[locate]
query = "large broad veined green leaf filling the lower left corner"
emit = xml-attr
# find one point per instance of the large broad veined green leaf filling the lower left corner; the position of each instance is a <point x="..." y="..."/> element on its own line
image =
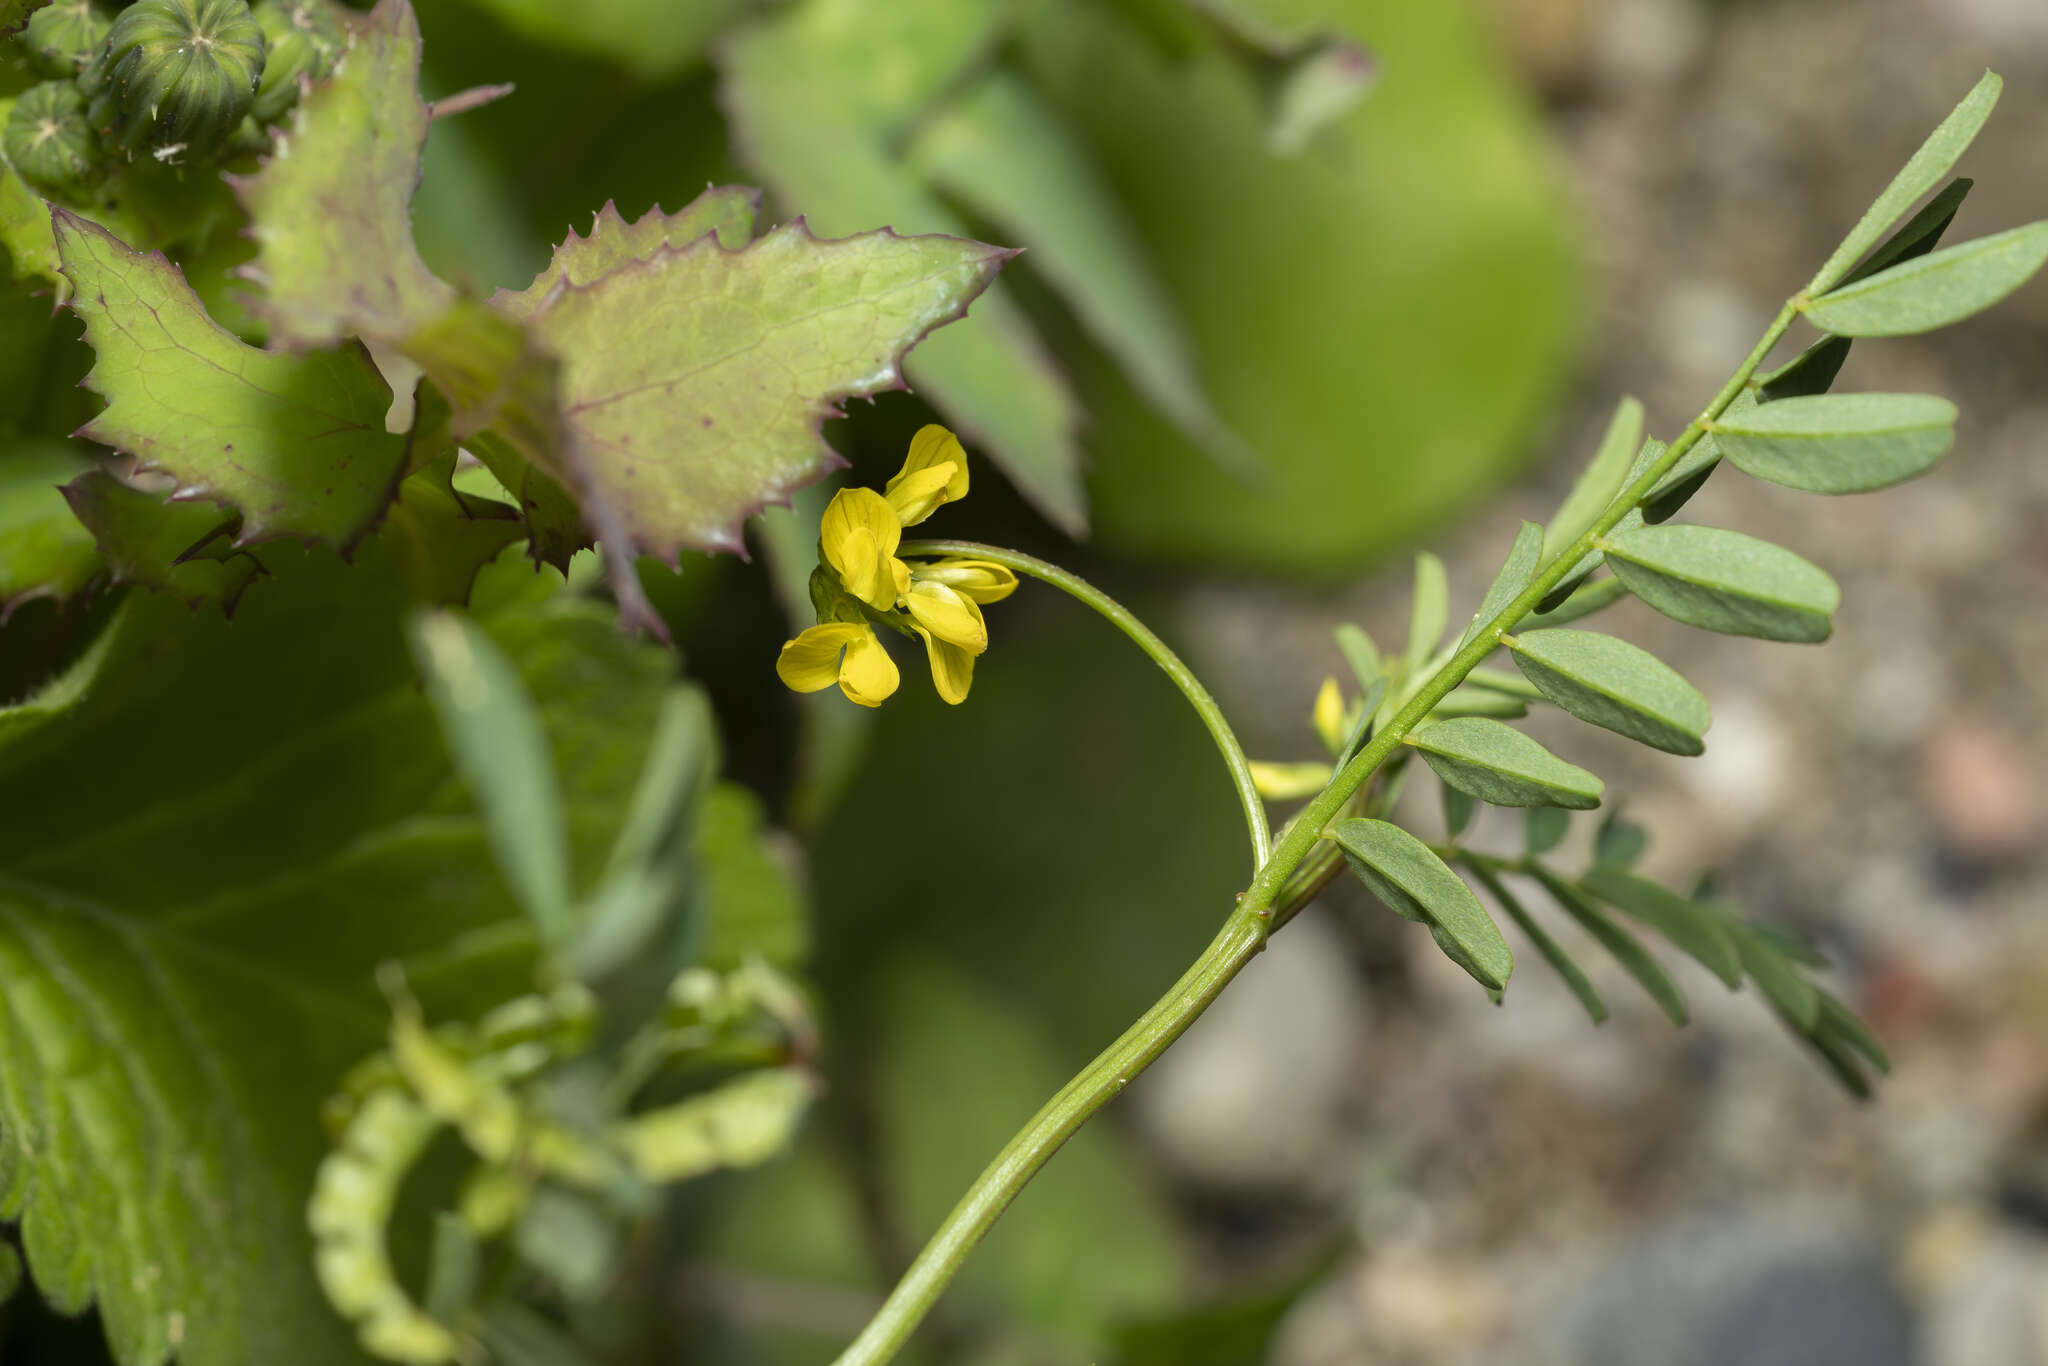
<point x="194" y="970"/>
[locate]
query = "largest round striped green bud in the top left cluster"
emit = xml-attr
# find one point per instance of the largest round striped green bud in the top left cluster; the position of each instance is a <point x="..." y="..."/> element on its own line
<point x="175" y="79"/>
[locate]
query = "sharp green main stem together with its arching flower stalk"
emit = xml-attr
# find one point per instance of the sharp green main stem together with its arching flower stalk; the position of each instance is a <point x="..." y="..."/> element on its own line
<point x="1275" y="892"/>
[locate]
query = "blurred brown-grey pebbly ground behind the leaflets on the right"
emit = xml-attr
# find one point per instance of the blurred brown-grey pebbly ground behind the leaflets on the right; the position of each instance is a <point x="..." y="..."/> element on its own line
<point x="1525" y="1187"/>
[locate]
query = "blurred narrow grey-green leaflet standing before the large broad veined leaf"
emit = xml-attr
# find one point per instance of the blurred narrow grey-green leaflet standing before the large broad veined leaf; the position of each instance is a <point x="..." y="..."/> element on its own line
<point x="495" y="734"/>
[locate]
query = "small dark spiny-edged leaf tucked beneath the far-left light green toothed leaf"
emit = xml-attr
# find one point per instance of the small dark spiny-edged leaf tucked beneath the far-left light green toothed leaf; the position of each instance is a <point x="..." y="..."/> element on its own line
<point x="177" y="548"/>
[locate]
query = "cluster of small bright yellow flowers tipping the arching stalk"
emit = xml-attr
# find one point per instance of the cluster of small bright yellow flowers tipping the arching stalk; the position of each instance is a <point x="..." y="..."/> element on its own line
<point x="861" y="585"/>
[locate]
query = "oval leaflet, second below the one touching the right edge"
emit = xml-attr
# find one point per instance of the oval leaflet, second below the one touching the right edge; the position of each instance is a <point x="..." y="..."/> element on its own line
<point x="1723" y="581"/>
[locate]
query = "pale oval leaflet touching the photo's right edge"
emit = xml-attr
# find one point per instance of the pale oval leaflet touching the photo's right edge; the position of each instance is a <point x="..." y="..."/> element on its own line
<point x="1936" y="290"/>
